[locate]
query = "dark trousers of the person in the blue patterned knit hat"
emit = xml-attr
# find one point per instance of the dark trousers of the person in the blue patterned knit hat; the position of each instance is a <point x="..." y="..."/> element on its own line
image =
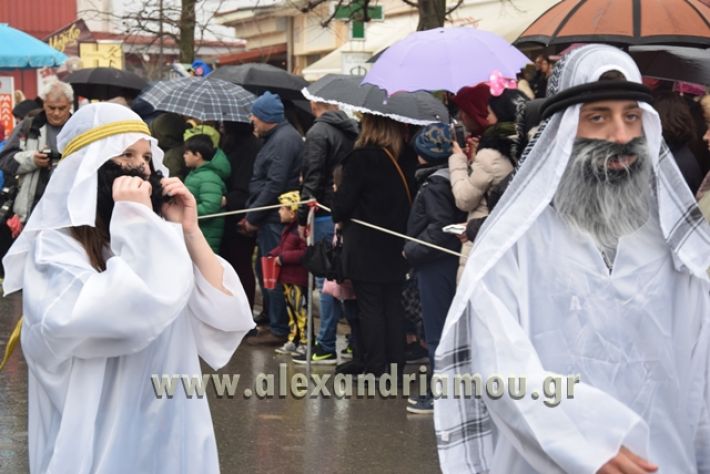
<point x="437" y="286"/>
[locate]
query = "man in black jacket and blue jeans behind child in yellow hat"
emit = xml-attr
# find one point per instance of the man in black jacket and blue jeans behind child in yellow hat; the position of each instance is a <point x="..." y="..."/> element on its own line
<point x="328" y="141"/>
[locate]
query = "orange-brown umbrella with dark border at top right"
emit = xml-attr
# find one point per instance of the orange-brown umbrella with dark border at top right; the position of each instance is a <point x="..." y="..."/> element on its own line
<point x="622" y="22"/>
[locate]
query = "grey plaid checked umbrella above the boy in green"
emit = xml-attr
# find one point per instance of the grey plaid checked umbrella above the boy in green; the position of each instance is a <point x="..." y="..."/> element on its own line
<point x="202" y="99"/>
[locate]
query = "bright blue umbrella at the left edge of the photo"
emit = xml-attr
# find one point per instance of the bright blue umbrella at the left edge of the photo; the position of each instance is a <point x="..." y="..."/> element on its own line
<point x="18" y="50"/>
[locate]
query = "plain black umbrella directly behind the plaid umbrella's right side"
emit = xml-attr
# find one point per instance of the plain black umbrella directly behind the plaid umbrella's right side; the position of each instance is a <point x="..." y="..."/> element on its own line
<point x="260" y="77"/>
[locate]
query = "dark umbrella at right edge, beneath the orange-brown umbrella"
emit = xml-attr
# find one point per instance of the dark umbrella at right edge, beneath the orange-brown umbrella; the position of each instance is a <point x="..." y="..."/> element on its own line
<point x="673" y="63"/>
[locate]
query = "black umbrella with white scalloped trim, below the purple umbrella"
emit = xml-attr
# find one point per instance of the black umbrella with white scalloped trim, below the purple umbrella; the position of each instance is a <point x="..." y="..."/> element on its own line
<point x="417" y="108"/>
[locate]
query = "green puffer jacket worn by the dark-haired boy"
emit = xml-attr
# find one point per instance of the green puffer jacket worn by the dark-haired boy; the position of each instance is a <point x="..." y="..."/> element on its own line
<point x="207" y="184"/>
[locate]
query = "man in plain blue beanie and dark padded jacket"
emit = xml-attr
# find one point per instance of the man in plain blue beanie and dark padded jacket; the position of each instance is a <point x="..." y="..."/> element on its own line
<point x="275" y="171"/>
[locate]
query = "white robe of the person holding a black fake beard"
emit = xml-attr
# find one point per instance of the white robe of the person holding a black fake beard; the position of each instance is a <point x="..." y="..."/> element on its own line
<point x="93" y="340"/>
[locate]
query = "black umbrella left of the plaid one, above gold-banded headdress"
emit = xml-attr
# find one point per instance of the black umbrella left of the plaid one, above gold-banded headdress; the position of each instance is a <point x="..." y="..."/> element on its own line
<point x="103" y="83"/>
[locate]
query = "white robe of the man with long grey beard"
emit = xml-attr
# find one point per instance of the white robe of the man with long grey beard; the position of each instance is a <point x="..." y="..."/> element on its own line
<point x="638" y="338"/>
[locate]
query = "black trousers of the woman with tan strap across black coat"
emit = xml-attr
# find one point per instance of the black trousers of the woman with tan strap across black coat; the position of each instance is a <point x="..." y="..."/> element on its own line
<point x="381" y="325"/>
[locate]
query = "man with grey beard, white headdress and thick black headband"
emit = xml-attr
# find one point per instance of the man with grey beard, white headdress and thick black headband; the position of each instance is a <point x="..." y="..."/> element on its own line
<point x="592" y="265"/>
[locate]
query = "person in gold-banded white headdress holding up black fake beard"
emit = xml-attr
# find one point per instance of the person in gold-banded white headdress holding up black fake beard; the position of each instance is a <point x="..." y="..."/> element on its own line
<point x="119" y="285"/>
